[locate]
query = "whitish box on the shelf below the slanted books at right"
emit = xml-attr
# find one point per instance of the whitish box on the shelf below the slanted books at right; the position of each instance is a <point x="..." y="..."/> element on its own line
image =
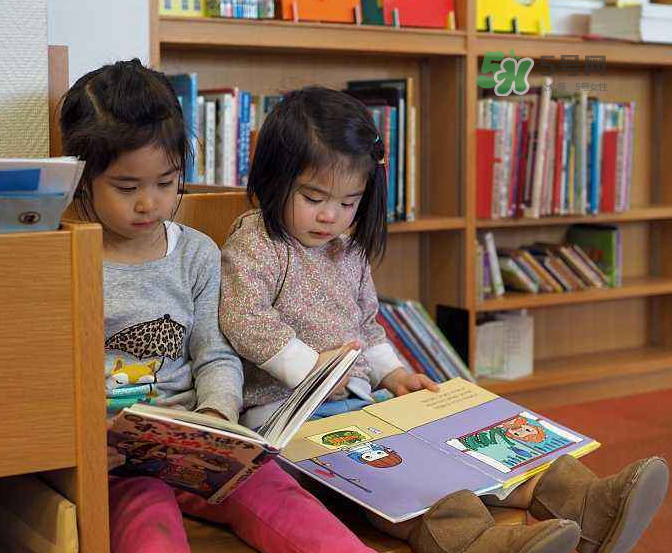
<point x="505" y="345"/>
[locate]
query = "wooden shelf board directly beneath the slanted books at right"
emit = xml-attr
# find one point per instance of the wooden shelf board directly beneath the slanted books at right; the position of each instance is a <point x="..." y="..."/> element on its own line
<point x="632" y="288"/>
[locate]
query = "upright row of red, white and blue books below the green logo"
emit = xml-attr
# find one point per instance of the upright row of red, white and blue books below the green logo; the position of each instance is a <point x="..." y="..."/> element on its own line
<point x="552" y="152"/>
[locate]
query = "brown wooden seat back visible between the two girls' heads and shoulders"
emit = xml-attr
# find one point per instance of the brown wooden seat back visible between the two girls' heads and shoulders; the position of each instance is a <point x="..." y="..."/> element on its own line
<point x="212" y="213"/>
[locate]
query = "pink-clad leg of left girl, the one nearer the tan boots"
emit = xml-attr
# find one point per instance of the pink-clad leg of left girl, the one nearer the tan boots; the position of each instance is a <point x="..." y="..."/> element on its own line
<point x="274" y="514"/>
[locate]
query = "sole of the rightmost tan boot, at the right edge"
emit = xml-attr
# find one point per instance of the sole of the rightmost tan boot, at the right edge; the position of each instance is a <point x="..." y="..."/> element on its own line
<point x="642" y="502"/>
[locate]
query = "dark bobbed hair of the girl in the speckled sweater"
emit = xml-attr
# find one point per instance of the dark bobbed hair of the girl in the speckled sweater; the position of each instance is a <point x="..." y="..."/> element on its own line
<point x="317" y="128"/>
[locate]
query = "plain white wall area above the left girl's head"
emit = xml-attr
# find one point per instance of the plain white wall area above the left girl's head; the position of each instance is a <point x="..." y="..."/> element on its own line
<point x="97" y="32"/>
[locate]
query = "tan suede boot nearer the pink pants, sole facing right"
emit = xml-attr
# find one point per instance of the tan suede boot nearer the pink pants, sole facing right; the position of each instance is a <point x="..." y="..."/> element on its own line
<point x="460" y="523"/>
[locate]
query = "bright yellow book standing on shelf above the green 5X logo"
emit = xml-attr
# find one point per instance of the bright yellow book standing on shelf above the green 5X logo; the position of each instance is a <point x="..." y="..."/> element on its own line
<point x="532" y="16"/>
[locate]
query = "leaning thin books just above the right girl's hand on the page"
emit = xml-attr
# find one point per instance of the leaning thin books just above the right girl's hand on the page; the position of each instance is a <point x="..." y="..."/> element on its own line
<point x="419" y="342"/>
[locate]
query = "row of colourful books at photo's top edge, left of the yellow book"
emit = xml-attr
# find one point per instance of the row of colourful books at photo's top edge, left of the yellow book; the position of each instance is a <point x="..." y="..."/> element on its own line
<point x="399" y="13"/>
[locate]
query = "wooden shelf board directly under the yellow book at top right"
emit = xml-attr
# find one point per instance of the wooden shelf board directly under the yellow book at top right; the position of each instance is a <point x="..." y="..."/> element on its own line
<point x="616" y="52"/>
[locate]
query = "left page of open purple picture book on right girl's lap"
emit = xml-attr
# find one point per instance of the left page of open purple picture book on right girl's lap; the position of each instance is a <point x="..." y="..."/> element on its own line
<point x="379" y="466"/>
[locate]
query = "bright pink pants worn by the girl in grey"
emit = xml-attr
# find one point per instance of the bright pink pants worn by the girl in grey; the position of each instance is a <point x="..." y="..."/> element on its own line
<point x="270" y="511"/>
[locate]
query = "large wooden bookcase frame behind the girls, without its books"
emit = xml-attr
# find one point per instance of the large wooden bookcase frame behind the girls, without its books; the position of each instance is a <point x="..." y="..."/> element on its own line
<point x="433" y="258"/>
